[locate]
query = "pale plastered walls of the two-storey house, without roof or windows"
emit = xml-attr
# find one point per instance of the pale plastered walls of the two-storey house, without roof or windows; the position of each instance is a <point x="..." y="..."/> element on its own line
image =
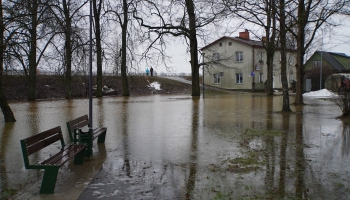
<point x="229" y="67"/>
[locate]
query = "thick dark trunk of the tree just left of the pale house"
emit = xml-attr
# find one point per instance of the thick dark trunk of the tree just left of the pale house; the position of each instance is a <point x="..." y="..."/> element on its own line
<point x="193" y="48"/>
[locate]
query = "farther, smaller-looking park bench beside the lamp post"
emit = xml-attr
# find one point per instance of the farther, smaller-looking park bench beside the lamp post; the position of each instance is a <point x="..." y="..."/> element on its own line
<point x="77" y="135"/>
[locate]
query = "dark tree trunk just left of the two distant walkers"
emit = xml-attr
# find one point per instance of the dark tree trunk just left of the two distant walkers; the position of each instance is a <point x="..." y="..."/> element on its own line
<point x="123" y="64"/>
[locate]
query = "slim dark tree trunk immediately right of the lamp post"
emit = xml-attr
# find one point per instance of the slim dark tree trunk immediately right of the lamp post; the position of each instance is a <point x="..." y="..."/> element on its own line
<point x="97" y="13"/>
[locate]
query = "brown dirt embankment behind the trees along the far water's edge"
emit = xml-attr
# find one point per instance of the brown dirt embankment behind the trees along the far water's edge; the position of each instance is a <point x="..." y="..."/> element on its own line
<point x="52" y="86"/>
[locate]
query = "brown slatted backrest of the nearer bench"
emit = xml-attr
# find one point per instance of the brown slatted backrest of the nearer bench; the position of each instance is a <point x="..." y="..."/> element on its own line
<point x="39" y="141"/>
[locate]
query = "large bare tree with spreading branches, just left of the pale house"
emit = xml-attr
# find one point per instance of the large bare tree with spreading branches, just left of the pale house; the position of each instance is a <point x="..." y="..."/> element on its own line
<point x="178" y="19"/>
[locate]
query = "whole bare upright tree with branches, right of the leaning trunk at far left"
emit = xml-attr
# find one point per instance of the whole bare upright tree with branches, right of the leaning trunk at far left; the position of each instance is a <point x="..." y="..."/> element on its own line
<point x="34" y="20"/>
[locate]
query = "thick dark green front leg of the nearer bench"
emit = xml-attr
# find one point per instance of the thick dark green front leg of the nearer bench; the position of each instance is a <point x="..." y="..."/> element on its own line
<point x="49" y="180"/>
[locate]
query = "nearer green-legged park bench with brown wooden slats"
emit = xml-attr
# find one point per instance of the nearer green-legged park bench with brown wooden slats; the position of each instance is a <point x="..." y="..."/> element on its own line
<point x="51" y="165"/>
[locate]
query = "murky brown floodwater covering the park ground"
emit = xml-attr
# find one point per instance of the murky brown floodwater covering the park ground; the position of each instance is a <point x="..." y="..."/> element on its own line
<point x="230" y="146"/>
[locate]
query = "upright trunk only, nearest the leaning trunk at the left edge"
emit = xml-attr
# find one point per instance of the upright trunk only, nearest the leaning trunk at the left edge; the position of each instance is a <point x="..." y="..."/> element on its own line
<point x="32" y="52"/>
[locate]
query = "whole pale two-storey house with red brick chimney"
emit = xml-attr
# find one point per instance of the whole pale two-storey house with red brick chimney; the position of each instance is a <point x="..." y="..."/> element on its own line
<point x="238" y="63"/>
